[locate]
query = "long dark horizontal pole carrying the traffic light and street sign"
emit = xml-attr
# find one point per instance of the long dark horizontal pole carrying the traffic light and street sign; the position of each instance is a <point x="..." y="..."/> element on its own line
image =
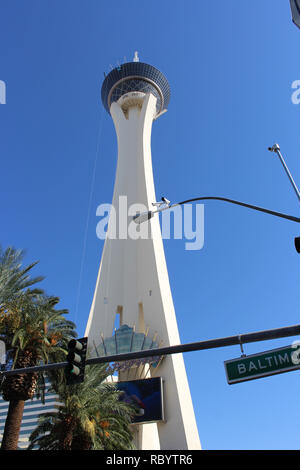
<point x="181" y="348"/>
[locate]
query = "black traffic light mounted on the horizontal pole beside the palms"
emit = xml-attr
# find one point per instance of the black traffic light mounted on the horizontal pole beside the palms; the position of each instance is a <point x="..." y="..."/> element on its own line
<point x="74" y="371"/>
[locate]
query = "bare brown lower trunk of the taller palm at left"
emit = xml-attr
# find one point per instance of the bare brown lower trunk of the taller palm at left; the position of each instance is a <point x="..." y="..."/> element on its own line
<point x="13" y="425"/>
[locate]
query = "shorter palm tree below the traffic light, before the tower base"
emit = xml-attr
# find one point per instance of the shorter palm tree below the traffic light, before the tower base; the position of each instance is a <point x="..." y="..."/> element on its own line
<point x="90" y="416"/>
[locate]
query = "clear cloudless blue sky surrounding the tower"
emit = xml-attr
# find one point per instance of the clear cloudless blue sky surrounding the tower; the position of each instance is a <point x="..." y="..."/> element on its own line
<point x="230" y="66"/>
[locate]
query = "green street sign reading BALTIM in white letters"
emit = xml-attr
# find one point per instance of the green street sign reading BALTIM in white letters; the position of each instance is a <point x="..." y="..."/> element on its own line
<point x="264" y="364"/>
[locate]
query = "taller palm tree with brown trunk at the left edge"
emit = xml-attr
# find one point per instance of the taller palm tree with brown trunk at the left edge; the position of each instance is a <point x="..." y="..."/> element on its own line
<point x="35" y="332"/>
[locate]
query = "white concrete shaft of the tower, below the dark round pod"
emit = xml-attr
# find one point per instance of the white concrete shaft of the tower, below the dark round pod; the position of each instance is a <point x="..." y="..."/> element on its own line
<point x="133" y="278"/>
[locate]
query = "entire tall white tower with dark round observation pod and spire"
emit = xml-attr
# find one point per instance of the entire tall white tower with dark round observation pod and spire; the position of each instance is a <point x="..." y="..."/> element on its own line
<point x="132" y="308"/>
